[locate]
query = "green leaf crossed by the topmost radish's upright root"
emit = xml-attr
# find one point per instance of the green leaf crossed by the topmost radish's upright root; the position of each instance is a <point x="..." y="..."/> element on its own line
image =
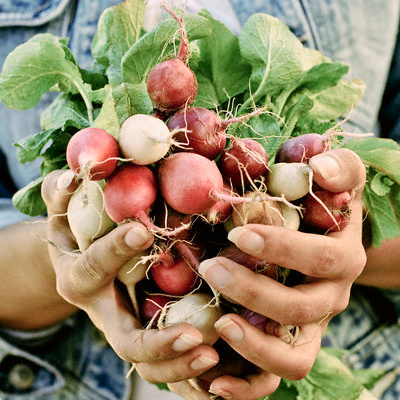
<point x="156" y="44"/>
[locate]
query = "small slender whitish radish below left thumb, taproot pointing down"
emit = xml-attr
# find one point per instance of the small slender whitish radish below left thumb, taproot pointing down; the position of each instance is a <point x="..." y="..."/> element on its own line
<point x="132" y="273"/>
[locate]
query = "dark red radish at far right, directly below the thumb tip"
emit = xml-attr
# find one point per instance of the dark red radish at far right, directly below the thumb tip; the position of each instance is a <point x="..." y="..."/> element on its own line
<point x="334" y="217"/>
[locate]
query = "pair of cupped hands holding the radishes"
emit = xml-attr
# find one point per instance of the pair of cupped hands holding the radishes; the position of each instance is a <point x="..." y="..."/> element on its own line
<point x="174" y="355"/>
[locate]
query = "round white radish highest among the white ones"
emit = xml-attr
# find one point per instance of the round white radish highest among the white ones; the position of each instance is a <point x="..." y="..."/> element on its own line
<point x="144" y="139"/>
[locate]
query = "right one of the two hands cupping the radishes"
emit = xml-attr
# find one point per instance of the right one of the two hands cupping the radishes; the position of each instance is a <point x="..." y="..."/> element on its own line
<point x="331" y="263"/>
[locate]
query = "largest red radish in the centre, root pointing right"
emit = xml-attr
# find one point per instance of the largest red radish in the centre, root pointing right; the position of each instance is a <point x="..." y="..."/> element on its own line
<point x="192" y="184"/>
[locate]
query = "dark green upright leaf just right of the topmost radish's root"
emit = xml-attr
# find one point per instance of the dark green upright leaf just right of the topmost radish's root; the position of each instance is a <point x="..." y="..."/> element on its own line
<point x="221" y="73"/>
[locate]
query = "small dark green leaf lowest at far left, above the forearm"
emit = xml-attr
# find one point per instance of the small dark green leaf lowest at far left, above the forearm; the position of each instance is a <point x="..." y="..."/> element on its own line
<point x="29" y="200"/>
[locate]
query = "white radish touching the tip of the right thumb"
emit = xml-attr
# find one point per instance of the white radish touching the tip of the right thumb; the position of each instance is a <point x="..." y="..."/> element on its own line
<point x="289" y="180"/>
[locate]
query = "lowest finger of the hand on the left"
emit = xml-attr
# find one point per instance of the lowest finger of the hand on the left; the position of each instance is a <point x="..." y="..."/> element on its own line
<point x="187" y="366"/>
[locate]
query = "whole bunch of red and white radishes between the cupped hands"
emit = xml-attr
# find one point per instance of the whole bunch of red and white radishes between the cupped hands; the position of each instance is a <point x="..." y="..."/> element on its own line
<point x="180" y="174"/>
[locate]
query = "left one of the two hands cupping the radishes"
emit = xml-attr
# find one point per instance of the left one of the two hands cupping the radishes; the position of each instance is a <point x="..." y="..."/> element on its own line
<point x="87" y="280"/>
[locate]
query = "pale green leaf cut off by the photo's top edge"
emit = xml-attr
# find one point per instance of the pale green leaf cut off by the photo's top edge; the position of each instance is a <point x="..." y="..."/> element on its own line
<point x="119" y="27"/>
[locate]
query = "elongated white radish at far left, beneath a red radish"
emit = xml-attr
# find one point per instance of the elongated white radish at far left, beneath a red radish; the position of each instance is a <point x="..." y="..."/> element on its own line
<point x="86" y="214"/>
